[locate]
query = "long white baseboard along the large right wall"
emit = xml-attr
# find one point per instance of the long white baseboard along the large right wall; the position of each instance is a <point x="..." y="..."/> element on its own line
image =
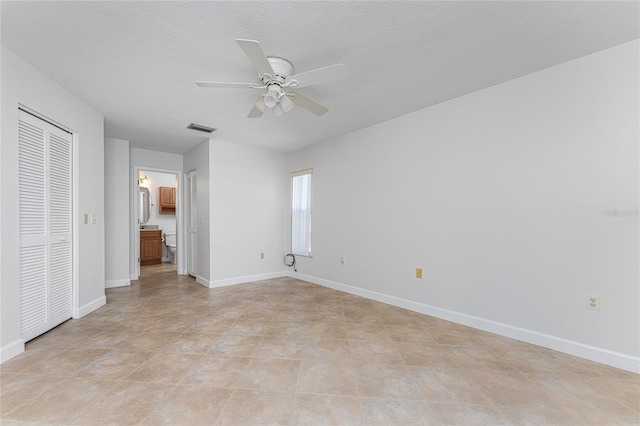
<point x="603" y="356"/>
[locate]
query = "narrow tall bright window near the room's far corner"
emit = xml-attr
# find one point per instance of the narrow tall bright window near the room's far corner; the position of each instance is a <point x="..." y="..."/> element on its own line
<point x="301" y="213"/>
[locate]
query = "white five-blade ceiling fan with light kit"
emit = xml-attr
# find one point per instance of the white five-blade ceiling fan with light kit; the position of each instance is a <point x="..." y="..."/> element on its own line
<point x="276" y="76"/>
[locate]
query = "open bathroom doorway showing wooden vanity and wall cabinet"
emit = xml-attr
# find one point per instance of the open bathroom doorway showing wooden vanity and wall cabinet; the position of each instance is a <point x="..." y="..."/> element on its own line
<point x="157" y="221"/>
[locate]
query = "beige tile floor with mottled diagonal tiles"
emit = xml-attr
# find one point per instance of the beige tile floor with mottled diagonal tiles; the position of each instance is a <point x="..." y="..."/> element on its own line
<point x="169" y="351"/>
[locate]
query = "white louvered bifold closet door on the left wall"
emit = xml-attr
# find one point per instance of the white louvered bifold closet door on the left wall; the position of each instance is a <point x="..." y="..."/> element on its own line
<point x="45" y="184"/>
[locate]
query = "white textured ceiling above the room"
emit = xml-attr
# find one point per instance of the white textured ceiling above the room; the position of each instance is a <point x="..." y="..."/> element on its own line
<point x="136" y="62"/>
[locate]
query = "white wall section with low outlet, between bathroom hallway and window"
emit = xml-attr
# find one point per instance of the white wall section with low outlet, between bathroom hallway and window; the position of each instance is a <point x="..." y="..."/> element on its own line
<point x="249" y="191"/>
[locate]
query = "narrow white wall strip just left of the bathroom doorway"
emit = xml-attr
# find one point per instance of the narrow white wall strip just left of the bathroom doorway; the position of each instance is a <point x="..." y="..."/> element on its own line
<point x="116" y="206"/>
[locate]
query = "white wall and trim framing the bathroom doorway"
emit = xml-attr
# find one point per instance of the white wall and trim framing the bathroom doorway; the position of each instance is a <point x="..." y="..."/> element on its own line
<point x="153" y="160"/>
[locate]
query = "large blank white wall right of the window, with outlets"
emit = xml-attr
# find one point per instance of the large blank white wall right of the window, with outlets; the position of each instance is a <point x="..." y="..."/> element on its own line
<point x="503" y="196"/>
